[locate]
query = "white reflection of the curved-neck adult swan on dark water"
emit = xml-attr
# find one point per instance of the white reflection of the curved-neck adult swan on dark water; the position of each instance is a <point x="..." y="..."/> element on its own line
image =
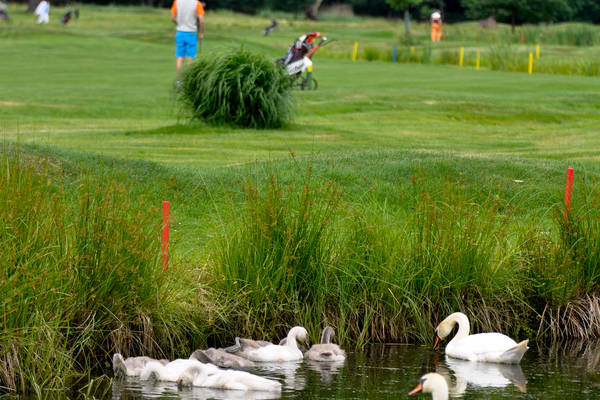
<point x="481" y="375"/>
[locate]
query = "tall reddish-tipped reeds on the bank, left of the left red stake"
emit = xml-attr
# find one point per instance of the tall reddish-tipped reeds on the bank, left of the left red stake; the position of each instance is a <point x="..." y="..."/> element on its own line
<point x="80" y="277"/>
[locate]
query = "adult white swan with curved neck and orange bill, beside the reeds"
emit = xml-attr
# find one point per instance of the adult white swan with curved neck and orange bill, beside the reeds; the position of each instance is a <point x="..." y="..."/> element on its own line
<point x="488" y="347"/>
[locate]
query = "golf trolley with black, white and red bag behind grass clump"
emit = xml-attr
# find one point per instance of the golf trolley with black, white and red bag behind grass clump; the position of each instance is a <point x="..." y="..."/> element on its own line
<point x="298" y="61"/>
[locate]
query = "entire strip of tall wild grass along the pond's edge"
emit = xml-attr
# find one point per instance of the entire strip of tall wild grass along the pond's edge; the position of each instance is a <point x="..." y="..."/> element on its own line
<point x="280" y="250"/>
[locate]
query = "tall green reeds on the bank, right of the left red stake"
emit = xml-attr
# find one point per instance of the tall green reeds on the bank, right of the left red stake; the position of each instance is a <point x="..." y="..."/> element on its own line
<point x="297" y="253"/>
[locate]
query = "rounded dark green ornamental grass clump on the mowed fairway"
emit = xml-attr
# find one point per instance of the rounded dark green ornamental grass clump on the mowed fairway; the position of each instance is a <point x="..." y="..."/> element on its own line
<point x="238" y="88"/>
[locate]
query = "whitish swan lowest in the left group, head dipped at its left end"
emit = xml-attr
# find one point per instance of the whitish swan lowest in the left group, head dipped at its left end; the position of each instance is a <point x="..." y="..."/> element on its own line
<point x="202" y="376"/>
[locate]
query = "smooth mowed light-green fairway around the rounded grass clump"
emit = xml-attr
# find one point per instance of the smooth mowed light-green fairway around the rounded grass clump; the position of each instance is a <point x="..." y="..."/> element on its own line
<point x="102" y="86"/>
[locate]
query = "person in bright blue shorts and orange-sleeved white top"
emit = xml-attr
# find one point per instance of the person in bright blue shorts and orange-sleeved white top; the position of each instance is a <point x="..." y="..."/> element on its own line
<point x="188" y="15"/>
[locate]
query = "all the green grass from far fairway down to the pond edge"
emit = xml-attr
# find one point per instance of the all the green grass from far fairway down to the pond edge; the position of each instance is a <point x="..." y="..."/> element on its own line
<point x="400" y="192"/>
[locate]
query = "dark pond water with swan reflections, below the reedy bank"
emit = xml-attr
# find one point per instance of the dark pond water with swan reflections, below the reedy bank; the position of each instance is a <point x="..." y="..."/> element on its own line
<point x="567" y="371"/>
